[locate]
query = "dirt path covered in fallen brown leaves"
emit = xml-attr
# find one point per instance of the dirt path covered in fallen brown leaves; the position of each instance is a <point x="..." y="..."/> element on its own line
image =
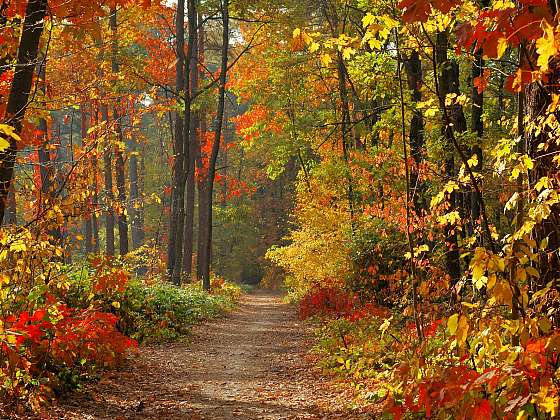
<point x="253" y="364"/>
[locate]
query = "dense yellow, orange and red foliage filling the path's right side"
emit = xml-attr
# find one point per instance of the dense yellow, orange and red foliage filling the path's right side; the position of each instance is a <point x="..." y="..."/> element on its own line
<point x="425" y="237"/>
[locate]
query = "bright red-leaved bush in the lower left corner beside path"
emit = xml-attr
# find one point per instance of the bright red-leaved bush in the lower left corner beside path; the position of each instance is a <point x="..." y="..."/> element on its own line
<point x="54" y="340"/>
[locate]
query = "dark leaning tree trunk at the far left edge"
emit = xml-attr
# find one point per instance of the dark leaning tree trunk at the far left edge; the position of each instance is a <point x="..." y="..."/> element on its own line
<point x="20" y="90"/>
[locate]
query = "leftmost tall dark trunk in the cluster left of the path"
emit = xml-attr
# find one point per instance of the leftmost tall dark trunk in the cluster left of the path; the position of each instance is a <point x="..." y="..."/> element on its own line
<point x="176" y="202"/>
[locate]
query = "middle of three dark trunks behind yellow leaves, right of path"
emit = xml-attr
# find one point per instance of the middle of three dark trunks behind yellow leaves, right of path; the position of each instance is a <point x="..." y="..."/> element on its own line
<point x="448" y="83"/>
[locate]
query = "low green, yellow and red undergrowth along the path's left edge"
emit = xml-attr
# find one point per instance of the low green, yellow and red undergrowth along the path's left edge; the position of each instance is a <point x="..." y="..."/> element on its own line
<point x="62" y="323"/>
